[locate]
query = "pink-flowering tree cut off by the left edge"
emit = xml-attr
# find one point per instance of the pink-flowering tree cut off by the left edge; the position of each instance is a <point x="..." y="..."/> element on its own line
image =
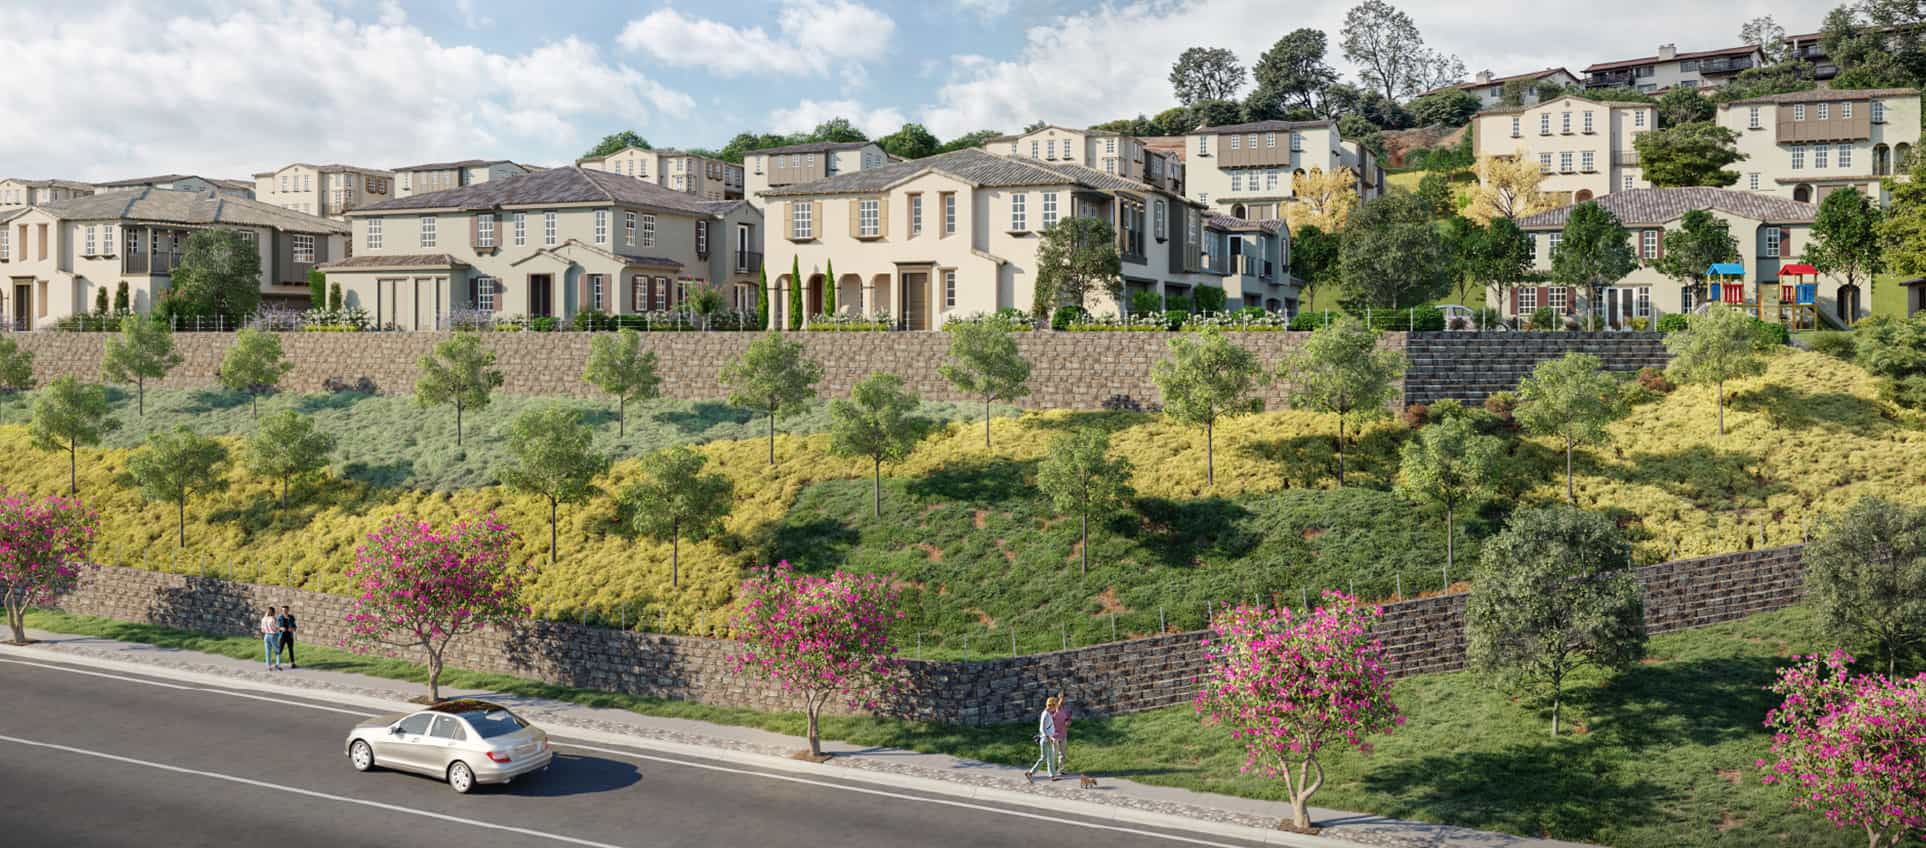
<point x="43" y="548"/>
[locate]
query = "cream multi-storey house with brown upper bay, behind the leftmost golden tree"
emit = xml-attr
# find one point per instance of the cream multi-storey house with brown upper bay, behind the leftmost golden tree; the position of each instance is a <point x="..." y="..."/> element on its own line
<point x="1245" y="171"/>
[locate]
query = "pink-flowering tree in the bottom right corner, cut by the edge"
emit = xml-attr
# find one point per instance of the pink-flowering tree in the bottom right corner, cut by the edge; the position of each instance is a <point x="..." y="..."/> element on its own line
<point x="1852" y="747"/>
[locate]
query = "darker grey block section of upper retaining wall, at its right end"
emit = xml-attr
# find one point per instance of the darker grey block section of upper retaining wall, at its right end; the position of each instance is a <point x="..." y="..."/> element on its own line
<point x="1469" y="367"/>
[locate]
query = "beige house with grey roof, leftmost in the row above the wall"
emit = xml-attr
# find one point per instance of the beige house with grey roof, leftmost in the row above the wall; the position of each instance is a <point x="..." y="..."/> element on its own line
<point x="59" y="255"/>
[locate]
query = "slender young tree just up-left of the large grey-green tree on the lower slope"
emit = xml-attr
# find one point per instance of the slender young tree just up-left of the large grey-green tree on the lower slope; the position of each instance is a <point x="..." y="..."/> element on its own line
<point x="1451" y="465"/>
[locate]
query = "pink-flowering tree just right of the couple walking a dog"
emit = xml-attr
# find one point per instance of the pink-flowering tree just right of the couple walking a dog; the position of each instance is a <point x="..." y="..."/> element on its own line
<point x="1288" y="687"/>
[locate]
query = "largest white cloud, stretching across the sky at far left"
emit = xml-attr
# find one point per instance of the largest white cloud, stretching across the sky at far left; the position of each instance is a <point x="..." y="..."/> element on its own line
<point x="120" y="92"/>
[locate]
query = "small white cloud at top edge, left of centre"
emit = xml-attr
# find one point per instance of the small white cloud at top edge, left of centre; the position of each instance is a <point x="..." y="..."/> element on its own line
<point x="812" y="40"/>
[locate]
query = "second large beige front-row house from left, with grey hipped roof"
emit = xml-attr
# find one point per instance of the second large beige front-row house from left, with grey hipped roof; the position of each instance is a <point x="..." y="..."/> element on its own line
<point x="550" y="244"/>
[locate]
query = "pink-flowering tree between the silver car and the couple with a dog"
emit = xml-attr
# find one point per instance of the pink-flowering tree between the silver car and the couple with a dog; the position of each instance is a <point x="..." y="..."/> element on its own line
<point x="820" y="639"/>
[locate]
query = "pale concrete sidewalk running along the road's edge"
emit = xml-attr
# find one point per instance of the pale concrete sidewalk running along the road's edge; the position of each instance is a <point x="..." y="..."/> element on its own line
<point x="931" y="772"/>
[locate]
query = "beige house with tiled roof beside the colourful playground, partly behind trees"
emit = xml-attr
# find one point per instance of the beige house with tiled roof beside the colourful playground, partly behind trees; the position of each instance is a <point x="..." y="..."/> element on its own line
<point x="1773" y="232"/>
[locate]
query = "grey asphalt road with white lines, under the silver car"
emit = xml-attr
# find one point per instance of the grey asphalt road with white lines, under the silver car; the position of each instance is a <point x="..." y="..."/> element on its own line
<point x="115" y="760"/>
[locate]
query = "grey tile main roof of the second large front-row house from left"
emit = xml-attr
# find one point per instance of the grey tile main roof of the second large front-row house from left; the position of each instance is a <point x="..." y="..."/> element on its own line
<point x="556" y="186"/>
